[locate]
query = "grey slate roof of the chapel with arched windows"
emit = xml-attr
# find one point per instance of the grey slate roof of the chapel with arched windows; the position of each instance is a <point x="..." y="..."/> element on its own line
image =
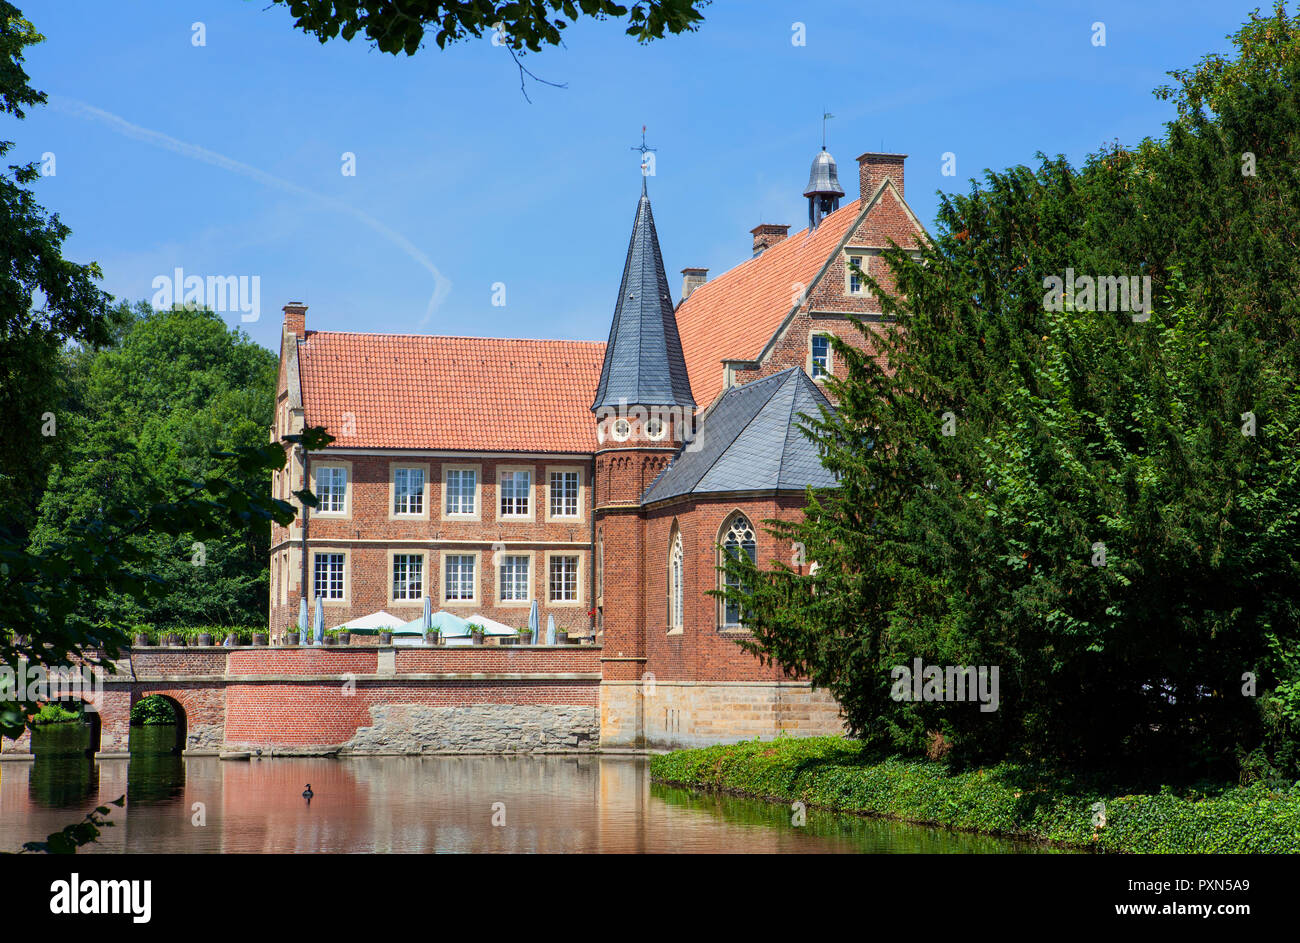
<point x="751" y="442"/>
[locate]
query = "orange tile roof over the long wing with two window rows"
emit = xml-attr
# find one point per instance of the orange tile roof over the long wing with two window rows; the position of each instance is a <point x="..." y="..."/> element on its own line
<point x="430" y="392"/>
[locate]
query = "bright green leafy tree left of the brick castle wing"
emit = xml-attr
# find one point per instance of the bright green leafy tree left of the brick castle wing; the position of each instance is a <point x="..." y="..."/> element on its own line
<point x="177" y="386"/>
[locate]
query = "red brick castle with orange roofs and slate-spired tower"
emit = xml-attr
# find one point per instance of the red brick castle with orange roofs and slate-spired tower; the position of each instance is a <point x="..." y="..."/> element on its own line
<point x="601" y="481"/>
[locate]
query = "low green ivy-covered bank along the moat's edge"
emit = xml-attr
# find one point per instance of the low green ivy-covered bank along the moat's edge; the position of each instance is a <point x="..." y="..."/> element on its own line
<point x="834" y="773"/>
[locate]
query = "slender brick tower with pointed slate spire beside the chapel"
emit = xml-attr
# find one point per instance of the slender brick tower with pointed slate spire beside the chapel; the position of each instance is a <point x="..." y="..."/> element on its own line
<point x="644" y="412"/>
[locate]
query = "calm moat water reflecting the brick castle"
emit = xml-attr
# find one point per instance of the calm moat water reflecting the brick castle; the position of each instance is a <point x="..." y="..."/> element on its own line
<point x="415" y="806"/>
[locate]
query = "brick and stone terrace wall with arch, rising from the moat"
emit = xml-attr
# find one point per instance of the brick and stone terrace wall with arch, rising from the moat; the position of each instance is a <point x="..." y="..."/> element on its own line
<point x="473" y="699"/>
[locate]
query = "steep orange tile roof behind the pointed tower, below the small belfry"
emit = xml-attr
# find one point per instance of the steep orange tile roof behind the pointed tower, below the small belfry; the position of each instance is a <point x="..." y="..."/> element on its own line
<point x="736" y="314"/>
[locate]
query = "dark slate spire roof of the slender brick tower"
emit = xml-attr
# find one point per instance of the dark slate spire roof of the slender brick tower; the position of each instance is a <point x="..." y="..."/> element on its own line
<point x="644" y="365"/>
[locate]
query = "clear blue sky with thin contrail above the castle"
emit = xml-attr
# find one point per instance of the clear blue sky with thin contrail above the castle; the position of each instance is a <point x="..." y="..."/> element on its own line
<point x="226" y="159"/>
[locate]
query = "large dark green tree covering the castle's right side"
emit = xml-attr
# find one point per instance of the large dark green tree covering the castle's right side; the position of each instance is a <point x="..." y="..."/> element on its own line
<point x="1171" y="445"/>
